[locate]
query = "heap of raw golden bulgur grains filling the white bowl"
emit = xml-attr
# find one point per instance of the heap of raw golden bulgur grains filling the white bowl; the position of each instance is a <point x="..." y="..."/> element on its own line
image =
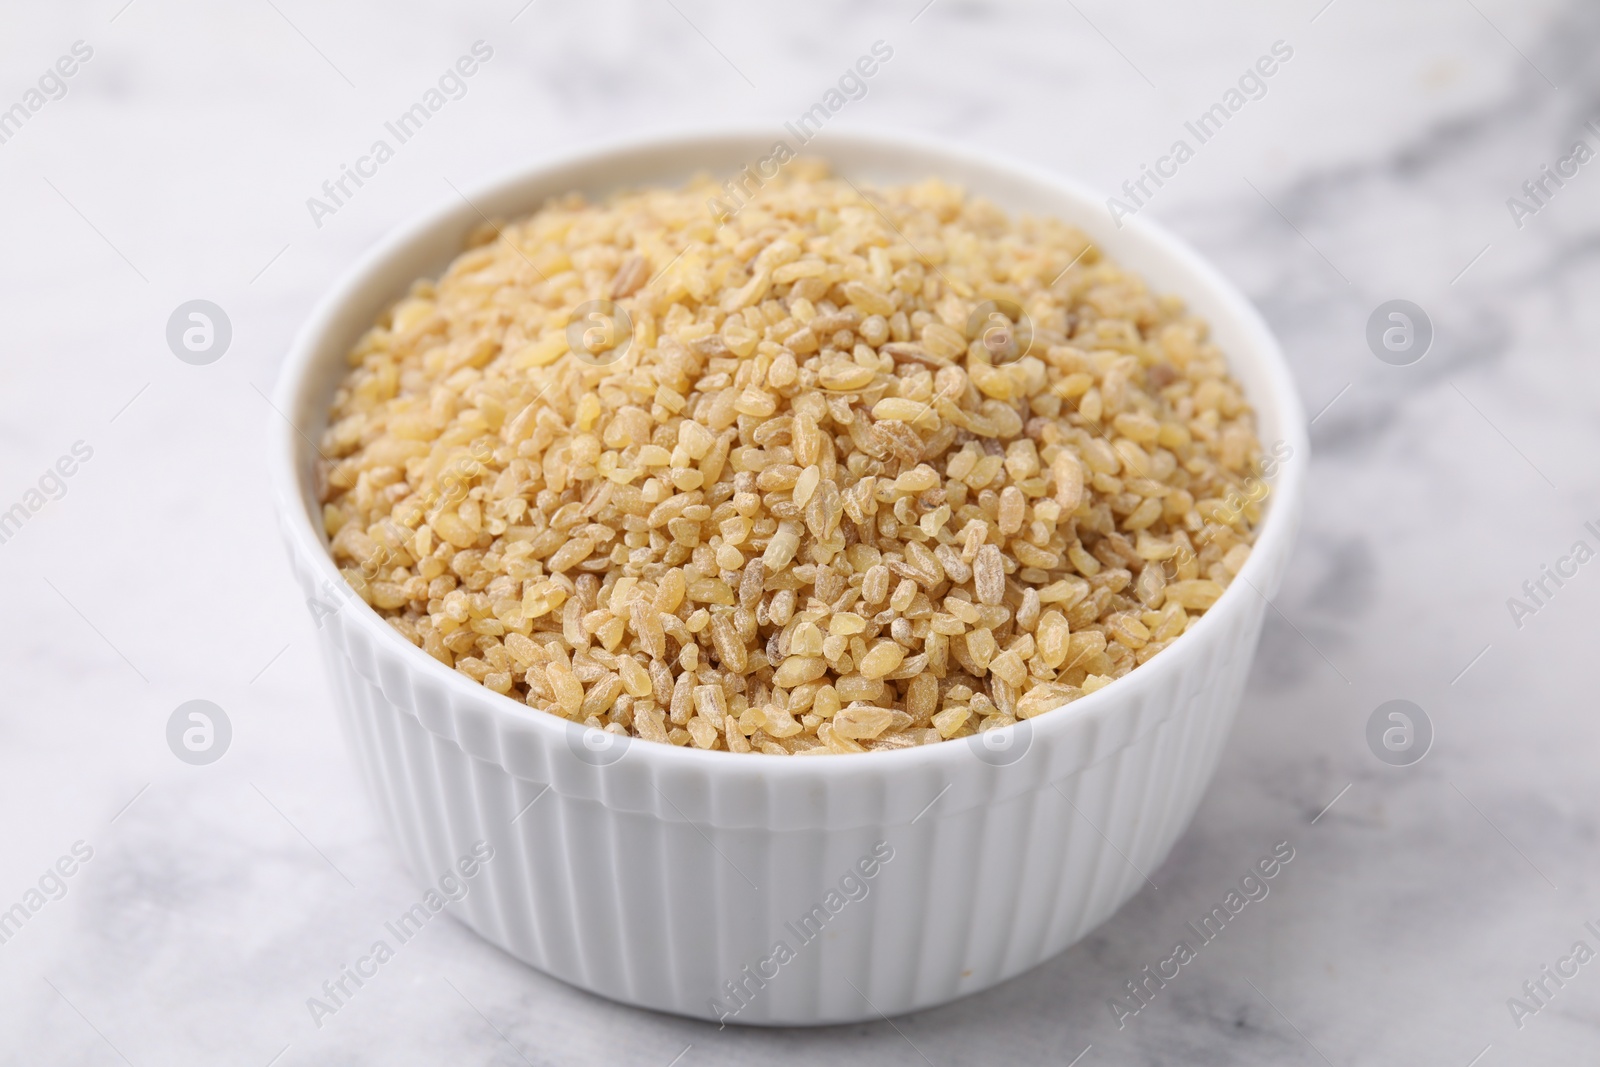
<point x="814" y="506"/>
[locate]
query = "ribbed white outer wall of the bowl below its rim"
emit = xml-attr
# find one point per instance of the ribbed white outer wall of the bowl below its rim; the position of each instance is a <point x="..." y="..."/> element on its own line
<point x="657" y="884"/>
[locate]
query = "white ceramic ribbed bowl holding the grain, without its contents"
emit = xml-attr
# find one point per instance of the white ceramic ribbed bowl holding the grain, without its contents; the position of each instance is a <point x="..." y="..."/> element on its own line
<point x="668" y="877"/>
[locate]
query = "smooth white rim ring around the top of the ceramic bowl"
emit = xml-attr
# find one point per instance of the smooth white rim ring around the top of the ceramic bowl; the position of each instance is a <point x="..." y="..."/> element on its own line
<point x="308" y="543"/>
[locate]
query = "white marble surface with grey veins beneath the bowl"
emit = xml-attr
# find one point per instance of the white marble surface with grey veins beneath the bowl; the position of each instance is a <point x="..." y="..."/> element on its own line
<point x="1377" y="167"/>
